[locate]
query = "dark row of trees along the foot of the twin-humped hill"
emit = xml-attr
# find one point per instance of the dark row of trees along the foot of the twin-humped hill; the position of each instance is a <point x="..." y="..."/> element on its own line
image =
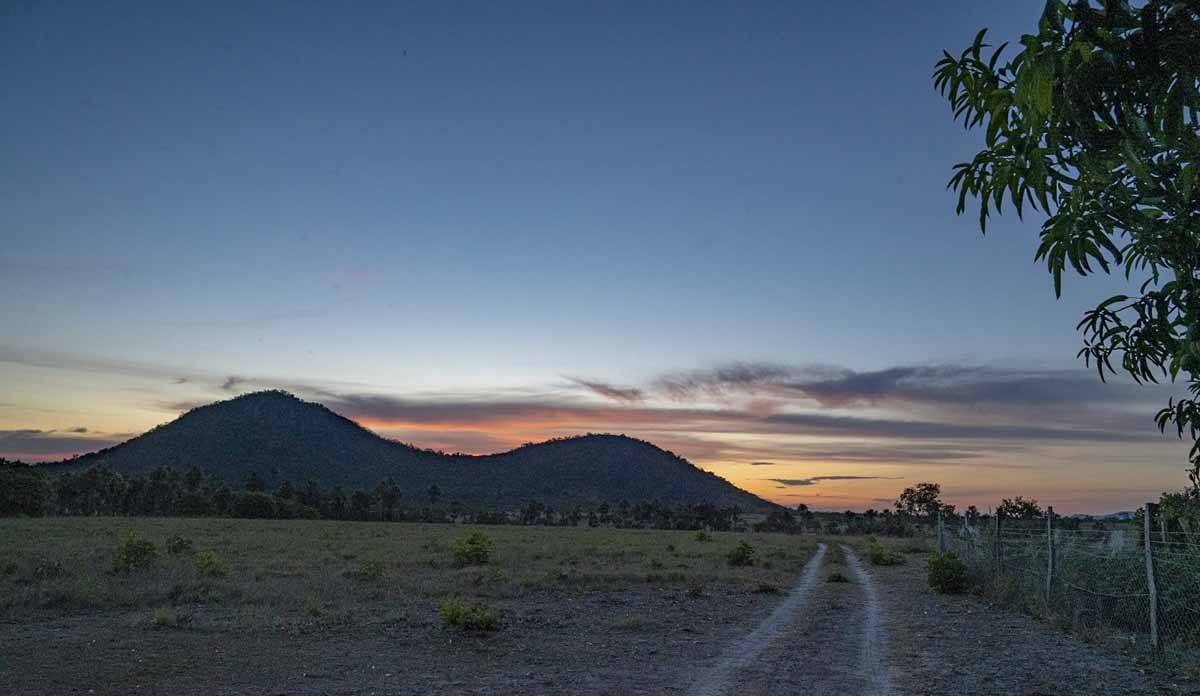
<point x="167" y="493"/>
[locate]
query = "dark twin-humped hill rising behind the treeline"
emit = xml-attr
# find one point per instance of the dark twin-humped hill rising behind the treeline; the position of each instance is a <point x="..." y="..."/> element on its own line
<point x="283" y="439"/>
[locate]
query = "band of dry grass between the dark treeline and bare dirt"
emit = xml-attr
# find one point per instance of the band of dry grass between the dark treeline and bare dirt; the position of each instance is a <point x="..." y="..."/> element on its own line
<point x="314" y="571"/>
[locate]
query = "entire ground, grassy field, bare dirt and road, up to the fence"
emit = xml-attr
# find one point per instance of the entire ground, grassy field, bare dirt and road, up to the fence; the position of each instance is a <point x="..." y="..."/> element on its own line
<point x="331" y="608"/>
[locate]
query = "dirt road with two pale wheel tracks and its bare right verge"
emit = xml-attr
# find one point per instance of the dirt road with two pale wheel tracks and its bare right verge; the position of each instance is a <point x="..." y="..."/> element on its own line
<point x="860" y="631"/>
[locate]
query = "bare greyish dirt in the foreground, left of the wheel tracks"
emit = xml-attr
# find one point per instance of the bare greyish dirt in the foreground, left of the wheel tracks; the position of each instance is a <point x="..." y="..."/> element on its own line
<point x="641" y="641"/>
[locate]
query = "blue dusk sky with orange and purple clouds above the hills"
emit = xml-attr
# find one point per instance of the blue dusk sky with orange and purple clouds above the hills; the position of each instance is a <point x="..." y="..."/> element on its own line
<point x="721" y="227"/>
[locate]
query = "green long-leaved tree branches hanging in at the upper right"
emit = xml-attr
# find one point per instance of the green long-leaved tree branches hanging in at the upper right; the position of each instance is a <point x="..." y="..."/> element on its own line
<point x="1095" y="123"/>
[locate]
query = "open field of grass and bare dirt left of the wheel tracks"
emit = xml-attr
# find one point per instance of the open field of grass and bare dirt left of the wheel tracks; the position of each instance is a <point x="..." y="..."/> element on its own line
<point x="311" y="607"/>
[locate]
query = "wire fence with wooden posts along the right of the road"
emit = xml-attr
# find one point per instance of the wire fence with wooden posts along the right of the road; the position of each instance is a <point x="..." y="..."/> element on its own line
<point x="1094" y="577"/>
